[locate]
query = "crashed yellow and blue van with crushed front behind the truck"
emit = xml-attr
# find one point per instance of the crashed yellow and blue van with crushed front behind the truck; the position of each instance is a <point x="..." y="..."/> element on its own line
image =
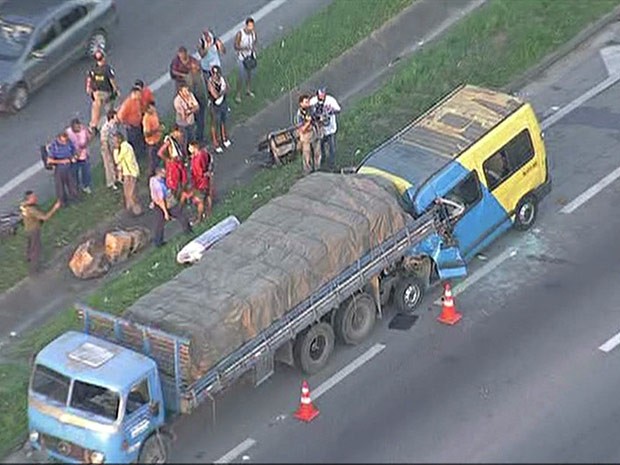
<point x="479" y="147"/>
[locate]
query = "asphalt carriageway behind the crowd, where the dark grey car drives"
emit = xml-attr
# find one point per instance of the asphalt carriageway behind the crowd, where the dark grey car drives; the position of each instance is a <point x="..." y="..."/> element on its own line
<point x="142" y="46"/>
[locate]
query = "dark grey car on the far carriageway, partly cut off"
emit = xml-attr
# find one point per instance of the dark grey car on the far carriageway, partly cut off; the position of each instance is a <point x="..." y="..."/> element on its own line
<point x="39" y="38"/>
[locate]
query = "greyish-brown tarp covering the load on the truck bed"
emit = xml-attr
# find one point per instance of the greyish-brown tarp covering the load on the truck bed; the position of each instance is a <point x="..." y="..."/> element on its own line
<point x="282" y="253"/>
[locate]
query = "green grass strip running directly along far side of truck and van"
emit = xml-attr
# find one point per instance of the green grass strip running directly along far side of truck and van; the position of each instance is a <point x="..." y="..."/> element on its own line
<point x="491" y="47"/>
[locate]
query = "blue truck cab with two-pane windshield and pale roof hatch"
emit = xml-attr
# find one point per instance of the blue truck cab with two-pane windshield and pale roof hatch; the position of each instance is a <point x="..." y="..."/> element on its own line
<point x="92" y="401"/>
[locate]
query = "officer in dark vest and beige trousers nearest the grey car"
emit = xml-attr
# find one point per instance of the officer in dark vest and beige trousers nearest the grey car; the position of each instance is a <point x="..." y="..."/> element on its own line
<point x="101" y="87"/>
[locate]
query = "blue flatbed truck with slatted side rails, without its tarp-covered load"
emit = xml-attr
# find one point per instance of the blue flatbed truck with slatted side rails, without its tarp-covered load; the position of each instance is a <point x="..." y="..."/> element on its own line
<point x="108" y="360"/>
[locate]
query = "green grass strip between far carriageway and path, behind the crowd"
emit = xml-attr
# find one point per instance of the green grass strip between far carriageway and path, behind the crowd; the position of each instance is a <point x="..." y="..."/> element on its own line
<point x="282" y="66"/>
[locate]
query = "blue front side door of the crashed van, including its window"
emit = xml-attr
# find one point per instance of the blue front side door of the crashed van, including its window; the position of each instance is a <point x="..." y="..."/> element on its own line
<point x="483" y="218"/>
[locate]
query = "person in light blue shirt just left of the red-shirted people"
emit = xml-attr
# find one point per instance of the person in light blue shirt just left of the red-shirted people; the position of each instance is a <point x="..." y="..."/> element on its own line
<point x="165" y="207"/>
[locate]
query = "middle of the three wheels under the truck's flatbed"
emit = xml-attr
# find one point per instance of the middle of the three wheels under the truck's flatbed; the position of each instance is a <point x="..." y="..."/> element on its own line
<point x="355" y="319"/>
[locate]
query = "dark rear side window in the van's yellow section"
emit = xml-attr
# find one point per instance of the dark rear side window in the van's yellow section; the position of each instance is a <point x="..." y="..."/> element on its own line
<point x="507" y="160"/>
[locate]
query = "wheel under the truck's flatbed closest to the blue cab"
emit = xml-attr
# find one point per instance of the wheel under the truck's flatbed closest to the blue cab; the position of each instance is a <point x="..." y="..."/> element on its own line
<point x="313" y="348"/>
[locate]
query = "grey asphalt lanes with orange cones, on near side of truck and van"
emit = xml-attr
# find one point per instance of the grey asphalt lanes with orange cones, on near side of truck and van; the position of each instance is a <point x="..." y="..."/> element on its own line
<point x="520" y="379"/>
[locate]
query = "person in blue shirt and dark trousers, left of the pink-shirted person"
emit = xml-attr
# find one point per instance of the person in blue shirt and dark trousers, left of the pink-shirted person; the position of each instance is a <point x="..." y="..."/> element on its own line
<point x="62" y="154"/>
